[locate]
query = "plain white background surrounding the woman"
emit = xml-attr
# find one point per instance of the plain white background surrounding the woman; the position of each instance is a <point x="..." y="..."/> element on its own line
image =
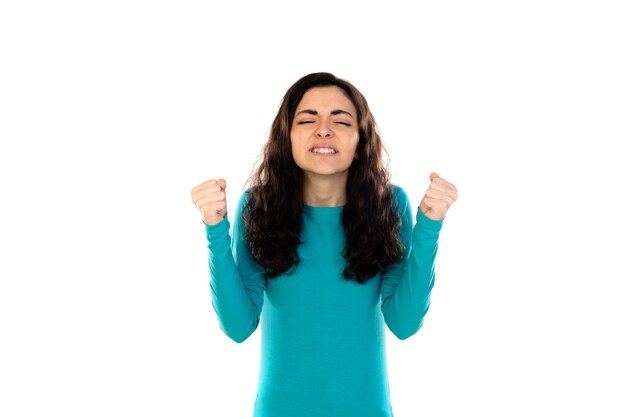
<point x="110" y="112"/>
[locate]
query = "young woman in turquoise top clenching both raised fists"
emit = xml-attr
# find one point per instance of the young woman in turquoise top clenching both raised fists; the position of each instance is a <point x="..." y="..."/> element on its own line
<point x="324" y="253"/>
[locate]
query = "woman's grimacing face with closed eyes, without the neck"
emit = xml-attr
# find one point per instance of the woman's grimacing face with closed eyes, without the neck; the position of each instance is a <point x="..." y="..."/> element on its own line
<point x="325" y="133"/>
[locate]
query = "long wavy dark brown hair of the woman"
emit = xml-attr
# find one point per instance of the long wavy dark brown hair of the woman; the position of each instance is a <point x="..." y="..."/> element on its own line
<point x="273" y="213"/>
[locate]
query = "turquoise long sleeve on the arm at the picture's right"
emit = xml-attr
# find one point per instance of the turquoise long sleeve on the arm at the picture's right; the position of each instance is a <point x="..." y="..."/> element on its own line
<point x="406" y="286"/>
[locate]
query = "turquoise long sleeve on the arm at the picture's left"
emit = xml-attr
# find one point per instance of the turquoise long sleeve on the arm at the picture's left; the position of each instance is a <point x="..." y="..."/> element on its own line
<point x="237" y="281"/>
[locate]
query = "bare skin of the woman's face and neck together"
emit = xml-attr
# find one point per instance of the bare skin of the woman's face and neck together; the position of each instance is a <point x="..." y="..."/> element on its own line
<point x="325" y="117"/>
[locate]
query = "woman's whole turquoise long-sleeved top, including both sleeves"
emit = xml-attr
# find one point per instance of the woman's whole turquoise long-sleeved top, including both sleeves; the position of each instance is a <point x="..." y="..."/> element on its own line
<point x="322" y="337"/>
